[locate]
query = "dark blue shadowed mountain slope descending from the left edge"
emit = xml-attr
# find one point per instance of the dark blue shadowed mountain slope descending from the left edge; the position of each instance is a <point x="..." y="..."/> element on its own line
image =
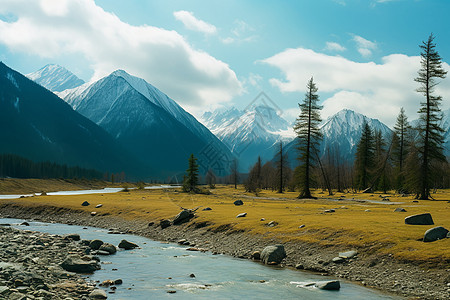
<point x="38" y="125"/>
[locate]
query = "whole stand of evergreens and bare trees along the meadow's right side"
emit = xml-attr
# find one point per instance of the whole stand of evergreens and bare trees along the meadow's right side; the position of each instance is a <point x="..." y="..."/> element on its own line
<point x="410" y="161"/>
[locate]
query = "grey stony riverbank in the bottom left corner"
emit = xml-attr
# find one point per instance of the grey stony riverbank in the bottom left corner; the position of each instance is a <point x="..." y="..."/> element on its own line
<point x="30" y="266"/>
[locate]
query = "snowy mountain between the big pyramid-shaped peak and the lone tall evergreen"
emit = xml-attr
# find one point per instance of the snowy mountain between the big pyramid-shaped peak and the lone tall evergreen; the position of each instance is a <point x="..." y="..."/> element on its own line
<point x="249" y="133"/>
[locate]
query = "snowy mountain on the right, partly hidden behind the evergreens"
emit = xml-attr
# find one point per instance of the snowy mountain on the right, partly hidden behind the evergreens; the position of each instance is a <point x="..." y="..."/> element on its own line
<point x="341" y="133"/>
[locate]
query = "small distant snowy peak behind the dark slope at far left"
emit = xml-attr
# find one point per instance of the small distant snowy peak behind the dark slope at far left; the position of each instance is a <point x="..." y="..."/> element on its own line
<point x="55" y="78"/>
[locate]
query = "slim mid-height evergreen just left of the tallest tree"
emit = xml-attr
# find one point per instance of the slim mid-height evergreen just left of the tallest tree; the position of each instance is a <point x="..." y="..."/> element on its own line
<point x="401" y="144"/>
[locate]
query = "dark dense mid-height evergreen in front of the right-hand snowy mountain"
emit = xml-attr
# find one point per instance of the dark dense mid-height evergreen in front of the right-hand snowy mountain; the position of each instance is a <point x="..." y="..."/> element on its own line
<point x="364" y="161"/>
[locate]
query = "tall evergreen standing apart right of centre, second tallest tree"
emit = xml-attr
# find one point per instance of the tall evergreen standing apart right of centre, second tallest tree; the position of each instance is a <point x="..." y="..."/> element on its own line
<point x="308" y="135"/>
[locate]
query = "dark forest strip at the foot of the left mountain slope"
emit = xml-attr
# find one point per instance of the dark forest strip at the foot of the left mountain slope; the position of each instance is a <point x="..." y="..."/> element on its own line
<point x="15" y="166"/>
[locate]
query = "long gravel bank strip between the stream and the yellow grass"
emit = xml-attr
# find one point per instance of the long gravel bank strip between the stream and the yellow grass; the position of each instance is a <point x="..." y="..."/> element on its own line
<point x="364" y="267"/>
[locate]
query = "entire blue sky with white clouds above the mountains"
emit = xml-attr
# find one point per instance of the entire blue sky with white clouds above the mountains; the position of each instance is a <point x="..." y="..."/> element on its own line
<point x="209" y="54"/>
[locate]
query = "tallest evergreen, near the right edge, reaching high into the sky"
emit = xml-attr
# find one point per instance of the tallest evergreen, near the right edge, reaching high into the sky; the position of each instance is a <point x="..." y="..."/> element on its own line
<point x="430" y="144"/>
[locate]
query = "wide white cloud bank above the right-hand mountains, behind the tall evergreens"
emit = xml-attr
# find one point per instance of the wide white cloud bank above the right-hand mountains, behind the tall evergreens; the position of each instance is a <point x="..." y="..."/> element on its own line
<point x="376" y="90"/>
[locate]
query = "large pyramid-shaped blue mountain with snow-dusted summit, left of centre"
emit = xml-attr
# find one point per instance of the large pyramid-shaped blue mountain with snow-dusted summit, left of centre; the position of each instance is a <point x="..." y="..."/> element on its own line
<point x="149" y="123"/>
